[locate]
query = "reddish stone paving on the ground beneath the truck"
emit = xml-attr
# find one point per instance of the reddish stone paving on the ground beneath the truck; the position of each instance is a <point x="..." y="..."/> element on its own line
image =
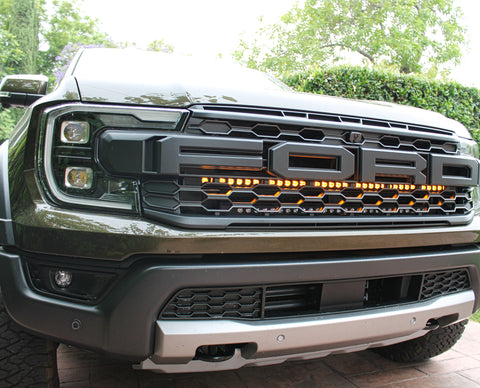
<point x="459" y="367"/>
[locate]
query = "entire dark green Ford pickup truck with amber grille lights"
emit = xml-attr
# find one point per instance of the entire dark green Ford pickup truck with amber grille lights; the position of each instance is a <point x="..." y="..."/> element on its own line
<point x="194" y="216"/>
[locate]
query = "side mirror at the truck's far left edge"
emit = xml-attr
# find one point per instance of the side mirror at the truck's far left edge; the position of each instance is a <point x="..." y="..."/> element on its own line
<point x="20" y="91"/>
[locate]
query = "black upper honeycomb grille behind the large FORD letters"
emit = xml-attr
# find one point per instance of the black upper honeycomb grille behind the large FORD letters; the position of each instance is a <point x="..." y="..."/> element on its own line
<point x="227" y="196"/>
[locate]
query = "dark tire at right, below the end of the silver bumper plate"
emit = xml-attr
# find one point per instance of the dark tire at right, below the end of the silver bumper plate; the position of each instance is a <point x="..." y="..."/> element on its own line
<point x="430" y="345"/>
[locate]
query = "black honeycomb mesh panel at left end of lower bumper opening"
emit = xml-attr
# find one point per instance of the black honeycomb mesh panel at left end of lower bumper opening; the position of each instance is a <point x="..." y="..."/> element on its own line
<point x="242" y="303"/>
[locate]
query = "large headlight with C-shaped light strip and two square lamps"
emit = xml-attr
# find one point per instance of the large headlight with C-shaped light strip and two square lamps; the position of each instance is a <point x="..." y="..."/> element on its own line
<point x="70" y="168"/>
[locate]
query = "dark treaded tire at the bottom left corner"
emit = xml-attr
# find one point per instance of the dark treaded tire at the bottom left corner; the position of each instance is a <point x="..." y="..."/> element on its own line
<point x="25" y="360"/>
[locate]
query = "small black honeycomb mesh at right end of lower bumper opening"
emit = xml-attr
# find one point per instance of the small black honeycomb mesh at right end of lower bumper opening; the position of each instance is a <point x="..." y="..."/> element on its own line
<point x="442" y="283"/>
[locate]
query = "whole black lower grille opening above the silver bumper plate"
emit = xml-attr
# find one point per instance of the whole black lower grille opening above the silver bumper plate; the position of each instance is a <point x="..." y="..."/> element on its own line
<point x="289" y="300"/>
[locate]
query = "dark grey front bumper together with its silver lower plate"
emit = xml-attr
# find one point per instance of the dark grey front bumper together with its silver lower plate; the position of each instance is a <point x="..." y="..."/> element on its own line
<point x="125" y="321"/>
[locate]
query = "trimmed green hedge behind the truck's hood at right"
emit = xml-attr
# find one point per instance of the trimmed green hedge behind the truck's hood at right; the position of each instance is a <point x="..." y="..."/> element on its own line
<point x="449" y="98"/>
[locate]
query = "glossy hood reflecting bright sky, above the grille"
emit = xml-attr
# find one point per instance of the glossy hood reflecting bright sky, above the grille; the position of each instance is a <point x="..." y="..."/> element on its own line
<point x="149" y="78"/>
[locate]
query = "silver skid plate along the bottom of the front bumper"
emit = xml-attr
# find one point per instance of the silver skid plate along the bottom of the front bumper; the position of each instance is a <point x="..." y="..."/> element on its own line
<point x="278" y="340"/>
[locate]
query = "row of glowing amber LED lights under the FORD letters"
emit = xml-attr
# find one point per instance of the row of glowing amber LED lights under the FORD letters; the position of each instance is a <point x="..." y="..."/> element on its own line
<point x="330" y="185"/>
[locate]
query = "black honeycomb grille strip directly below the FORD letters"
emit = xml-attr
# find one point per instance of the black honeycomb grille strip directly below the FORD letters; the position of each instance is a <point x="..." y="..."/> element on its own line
<point x="217" y="199"/>
